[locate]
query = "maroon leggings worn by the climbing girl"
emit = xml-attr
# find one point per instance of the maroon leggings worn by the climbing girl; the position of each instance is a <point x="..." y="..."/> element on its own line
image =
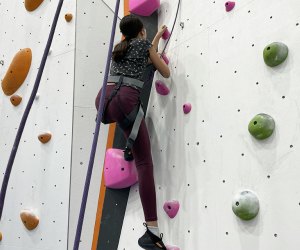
<point x="128" y="98"/>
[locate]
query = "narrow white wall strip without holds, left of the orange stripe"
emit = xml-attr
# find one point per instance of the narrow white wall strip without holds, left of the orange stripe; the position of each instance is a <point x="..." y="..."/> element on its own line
<point x="93" y="29"/>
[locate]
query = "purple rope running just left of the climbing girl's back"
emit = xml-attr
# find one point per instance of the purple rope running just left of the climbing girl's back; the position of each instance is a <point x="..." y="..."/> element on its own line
<point x="96" y="133"/>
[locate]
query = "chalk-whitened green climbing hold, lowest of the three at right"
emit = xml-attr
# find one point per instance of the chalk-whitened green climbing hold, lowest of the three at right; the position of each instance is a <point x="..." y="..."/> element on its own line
<point x="245" y="205"/>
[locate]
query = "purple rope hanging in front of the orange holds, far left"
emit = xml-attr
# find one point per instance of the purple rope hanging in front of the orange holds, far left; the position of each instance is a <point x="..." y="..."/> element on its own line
<point x="27" y="110"/>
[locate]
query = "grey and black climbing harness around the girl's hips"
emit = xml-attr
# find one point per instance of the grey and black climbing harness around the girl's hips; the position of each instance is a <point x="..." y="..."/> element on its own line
<point x="134" y="118"/>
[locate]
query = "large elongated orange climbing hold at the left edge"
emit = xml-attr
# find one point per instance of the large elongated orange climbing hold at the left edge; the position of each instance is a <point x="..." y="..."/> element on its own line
<point x="17" y="71"/>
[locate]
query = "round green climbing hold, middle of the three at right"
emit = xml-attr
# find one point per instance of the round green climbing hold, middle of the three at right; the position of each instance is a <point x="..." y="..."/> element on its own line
<point x="261" y="126"/>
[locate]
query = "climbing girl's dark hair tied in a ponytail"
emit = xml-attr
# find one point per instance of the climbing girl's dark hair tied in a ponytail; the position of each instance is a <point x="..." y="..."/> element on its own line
<point x="130" y="27"/>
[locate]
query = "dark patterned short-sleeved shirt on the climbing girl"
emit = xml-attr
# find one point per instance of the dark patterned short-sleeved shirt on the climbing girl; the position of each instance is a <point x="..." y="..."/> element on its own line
<point x="135" y="60"/>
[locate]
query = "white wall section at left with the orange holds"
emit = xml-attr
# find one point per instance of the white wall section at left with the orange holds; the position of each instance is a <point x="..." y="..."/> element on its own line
<point x="40" y="177"/>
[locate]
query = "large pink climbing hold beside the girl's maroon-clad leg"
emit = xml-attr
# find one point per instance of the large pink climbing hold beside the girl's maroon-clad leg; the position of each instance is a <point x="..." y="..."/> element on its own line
<point x="118" y="173"/>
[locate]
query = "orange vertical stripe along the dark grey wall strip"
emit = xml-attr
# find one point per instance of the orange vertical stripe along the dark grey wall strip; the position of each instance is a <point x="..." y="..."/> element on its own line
<point x="110" y="140"/>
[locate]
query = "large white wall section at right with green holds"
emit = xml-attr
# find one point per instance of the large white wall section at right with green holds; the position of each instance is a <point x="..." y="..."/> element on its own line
<point x="204" y="158"/>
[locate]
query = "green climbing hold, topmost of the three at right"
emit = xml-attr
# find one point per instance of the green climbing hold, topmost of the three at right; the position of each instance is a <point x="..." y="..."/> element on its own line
<point x="275" y="54"/>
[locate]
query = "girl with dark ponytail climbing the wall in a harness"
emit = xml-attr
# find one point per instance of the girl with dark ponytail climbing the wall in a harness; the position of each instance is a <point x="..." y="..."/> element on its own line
<point x="129" y="60"/>
